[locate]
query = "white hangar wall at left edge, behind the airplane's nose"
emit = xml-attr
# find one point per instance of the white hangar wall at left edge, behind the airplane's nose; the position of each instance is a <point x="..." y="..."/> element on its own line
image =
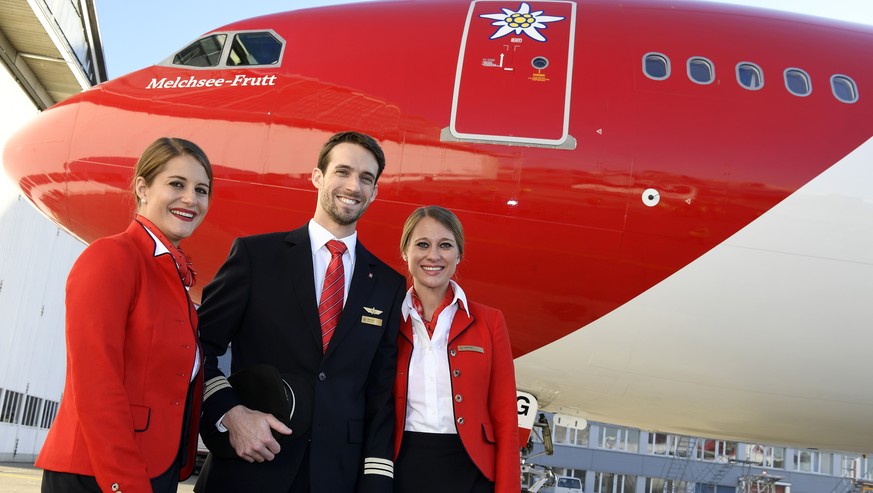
<point x="35" y="257"/>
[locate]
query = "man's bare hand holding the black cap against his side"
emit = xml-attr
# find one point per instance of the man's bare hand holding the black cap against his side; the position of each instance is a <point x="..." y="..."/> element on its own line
<point x="250" y="433"/>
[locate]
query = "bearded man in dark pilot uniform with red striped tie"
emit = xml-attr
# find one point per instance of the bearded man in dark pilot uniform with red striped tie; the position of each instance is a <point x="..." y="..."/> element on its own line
<point x="324" y="311"/>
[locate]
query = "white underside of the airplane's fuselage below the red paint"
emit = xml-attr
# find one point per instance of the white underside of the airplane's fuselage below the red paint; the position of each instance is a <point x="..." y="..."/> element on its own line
<point x="766" y="338"/>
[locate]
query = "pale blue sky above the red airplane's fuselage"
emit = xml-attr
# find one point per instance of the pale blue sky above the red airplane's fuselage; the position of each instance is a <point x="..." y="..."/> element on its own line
<point x="139" y="34"/>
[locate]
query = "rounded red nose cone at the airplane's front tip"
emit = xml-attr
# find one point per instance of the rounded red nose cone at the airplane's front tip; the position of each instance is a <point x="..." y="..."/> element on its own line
<point x="36" y="157"/>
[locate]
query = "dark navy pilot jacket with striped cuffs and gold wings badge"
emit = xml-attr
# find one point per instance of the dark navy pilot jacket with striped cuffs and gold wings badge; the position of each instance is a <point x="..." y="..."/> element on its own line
<point x="263" y="302"/>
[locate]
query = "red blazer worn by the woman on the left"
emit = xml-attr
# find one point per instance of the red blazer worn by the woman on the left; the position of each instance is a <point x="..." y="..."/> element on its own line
<point x="131" y="343"/>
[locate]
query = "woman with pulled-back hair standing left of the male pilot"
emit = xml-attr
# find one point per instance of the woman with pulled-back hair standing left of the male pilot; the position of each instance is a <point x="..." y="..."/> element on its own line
<point x="129" y="417"/>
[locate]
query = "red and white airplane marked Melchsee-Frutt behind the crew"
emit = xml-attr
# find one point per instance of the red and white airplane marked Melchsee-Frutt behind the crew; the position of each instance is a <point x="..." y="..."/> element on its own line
<point x="669" y="200"/>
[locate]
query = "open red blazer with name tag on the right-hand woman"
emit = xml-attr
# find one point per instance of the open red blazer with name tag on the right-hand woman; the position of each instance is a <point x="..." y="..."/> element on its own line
<point x="480" y="359"/>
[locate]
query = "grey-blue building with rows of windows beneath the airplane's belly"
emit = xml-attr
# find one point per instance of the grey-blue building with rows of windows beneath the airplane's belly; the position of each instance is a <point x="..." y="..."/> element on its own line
<point x="614" y="459"/>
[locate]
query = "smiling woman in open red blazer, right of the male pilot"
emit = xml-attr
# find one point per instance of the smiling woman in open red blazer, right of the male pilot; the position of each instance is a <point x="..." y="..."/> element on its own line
<point x="455" y="398"/>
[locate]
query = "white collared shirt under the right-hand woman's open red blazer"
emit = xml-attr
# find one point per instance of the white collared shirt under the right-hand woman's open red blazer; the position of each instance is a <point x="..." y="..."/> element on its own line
<point x="429" y="404"/>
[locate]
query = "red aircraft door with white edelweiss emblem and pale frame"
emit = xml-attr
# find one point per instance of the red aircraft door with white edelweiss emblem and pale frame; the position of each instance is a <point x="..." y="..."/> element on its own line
<point x="512" y="84"/>
